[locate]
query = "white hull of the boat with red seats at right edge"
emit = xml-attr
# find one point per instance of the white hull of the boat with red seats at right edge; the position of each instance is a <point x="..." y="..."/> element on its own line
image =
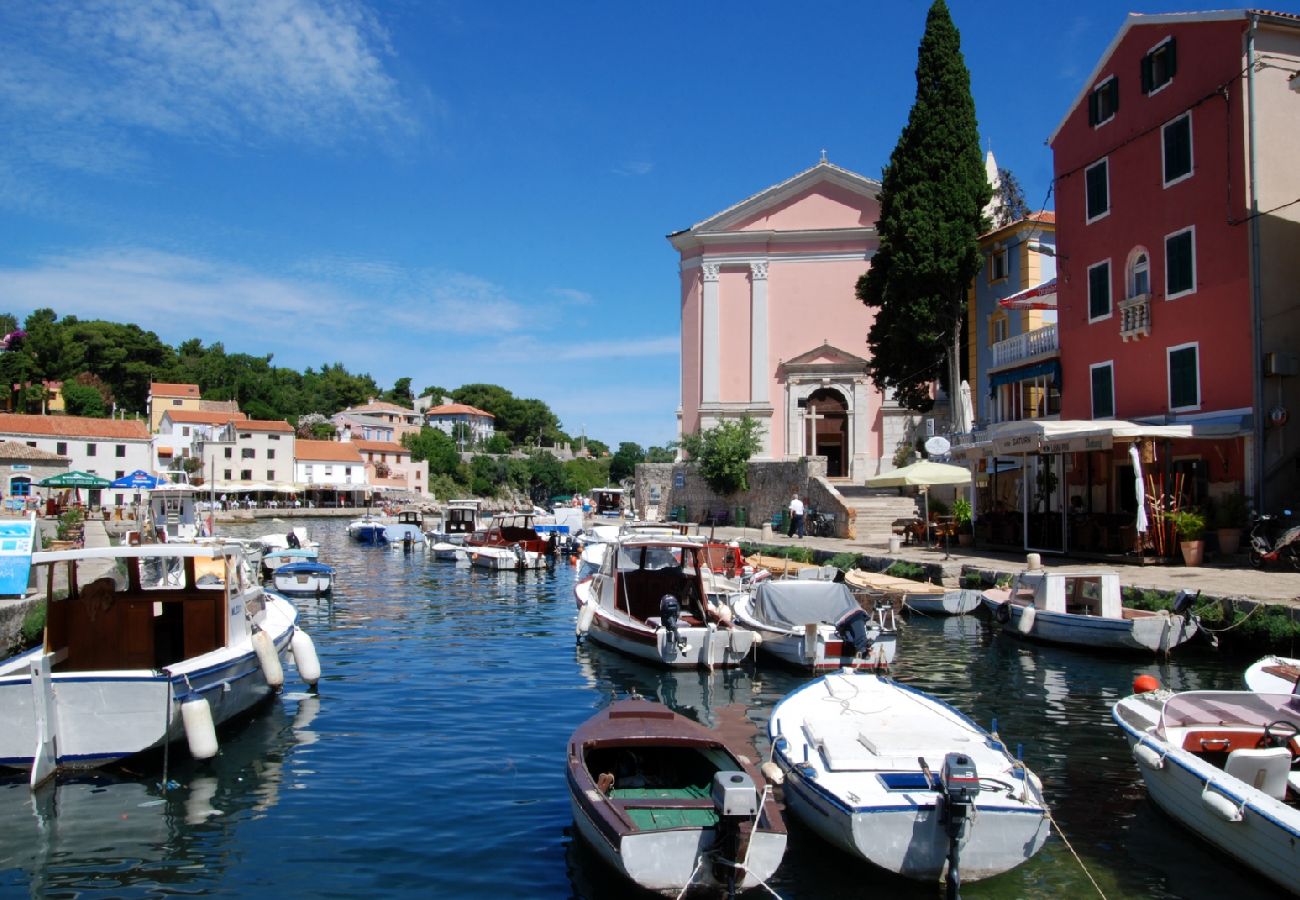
<point x="1267" y="838"/>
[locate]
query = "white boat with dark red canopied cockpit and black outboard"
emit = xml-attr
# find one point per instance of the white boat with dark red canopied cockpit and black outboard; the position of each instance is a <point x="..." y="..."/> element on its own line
<point x="648" y="600"/>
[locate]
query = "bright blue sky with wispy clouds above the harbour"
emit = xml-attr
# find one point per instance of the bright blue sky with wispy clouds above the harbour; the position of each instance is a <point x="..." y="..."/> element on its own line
<point x="461" y="192"/>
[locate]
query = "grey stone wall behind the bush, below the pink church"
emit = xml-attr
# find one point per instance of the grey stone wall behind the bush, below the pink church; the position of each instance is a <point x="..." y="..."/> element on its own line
<point x="770" y="488"/>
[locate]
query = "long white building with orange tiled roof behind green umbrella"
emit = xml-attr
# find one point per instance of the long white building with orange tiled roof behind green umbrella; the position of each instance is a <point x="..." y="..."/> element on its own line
<point x="109" y="448"/>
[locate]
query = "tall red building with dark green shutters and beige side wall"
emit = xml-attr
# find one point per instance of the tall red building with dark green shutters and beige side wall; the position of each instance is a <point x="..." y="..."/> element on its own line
<point x="1178" y="214"/>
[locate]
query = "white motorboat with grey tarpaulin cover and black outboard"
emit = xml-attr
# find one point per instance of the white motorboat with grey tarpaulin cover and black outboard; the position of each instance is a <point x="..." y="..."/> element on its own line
<point x="814" y="625"/>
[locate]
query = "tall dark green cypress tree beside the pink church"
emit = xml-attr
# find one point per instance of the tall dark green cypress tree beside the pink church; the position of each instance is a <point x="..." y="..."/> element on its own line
<point x="931" y="215"/>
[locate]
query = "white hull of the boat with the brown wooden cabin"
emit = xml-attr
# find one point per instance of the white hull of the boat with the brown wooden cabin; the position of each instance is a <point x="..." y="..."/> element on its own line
<point x="102" y="717"/>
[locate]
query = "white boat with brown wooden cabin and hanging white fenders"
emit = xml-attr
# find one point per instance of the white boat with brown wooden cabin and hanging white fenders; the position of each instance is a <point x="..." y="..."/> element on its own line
<point x="144" y="646"/>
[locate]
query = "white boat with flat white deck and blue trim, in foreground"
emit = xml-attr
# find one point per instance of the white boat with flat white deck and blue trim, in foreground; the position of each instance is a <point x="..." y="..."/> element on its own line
<point x="904" y="781"/>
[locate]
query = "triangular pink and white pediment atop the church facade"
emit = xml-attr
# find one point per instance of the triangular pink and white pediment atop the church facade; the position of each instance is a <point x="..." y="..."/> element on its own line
<point x="825" y="198"/>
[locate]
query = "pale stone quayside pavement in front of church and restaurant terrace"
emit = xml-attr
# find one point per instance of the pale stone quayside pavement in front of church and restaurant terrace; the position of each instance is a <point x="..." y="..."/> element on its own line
<point x="1269" y="586"/>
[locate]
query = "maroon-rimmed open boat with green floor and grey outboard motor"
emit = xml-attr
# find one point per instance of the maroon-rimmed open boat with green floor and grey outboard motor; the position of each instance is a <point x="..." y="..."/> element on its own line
<point x="669" y="804"/>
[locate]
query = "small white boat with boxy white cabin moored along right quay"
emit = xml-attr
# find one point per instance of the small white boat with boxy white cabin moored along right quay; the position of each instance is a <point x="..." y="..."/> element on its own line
<point x="1084" y="609"/>
